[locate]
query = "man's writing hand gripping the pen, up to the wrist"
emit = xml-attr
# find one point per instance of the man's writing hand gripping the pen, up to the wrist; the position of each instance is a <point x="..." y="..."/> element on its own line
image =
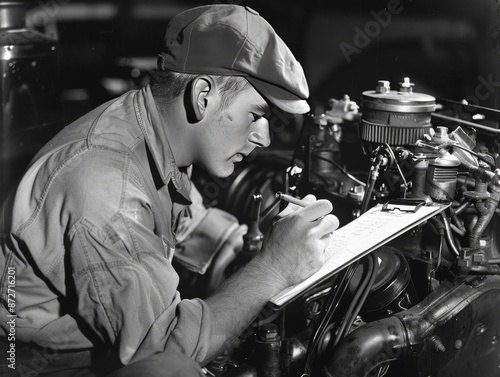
<point x="294" y="246"/>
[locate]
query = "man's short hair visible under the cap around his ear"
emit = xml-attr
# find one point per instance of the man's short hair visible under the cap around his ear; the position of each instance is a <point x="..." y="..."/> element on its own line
<point x="167" y="85"/>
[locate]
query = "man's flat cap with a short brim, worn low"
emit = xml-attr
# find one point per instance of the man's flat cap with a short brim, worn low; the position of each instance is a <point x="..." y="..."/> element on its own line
<point x="234" y="40"/>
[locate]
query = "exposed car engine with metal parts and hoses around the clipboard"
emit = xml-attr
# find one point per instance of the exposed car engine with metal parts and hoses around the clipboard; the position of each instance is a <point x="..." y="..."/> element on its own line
<point x="423" y="304"/>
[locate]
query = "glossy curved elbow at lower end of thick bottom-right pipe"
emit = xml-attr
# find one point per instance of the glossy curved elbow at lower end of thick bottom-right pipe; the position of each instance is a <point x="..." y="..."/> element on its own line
<point x="369" y="347"/>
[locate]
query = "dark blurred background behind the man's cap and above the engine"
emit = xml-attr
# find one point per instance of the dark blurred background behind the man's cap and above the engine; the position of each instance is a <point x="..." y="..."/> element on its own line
<point x="449" y="49"/>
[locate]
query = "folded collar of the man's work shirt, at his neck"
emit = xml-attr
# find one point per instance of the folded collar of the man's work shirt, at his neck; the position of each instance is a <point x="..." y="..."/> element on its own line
<point x="154" y="130"/>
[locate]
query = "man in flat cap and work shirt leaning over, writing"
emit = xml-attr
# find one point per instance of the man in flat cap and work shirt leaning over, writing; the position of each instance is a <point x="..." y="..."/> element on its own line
<point x="90" y="232"/>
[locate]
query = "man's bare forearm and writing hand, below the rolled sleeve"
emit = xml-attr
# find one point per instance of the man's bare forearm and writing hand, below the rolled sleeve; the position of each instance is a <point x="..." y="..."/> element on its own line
<point x="293" y="249"/>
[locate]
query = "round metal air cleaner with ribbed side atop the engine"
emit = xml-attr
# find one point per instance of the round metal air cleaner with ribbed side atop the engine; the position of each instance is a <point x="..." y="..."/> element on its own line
<point x="395" y="117"/>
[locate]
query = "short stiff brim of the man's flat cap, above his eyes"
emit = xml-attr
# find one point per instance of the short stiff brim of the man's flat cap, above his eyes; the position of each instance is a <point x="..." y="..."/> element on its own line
<point x="279" y="97"/>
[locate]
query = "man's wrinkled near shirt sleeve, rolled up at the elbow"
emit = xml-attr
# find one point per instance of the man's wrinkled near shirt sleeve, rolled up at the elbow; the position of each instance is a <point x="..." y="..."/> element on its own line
<point x="124" y="283"/>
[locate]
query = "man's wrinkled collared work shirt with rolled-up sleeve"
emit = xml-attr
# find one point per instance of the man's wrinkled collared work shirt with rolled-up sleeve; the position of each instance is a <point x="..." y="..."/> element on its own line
<point x="91" y="245"/>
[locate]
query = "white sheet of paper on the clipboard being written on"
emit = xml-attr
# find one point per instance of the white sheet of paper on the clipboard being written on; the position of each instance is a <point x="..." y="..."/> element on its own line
<point x="358" y="238"/>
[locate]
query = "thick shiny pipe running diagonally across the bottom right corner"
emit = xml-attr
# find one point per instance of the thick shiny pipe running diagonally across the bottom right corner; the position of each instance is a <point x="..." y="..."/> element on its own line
<point x="377" y="343"/>
